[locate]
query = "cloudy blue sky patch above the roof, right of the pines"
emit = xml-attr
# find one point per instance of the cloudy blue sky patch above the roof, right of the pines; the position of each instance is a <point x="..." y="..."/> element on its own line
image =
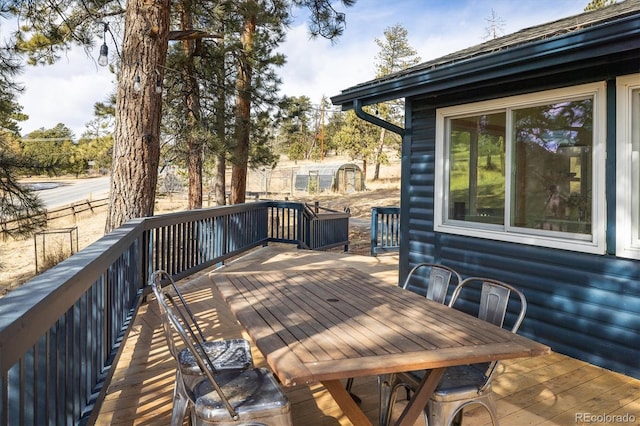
<point x="435" y="28"/>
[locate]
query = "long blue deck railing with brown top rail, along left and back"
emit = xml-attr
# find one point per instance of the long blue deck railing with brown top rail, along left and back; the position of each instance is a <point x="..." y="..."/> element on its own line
<point x="61" y="332"/>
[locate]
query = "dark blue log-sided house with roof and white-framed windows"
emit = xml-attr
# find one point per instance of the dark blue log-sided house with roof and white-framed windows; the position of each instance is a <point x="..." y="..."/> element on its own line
<point x="519" y="163"/>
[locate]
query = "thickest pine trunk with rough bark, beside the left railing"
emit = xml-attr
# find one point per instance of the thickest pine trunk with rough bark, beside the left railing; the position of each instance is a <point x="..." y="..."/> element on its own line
<point x="136" y="149"/>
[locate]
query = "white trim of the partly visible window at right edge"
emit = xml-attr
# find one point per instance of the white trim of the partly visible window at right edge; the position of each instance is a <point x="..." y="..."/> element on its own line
<point x="627" y="171"/>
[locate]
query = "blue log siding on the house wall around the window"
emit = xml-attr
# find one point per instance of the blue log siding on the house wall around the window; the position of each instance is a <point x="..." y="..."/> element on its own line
<point x="585" y="306"/>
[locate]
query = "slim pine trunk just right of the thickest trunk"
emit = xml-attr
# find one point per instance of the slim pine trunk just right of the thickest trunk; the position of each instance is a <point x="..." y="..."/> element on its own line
<point x="192" y="108"/>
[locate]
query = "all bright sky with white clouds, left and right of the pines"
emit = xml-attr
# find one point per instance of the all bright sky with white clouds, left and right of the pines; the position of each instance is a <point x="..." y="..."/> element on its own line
<point x="66" y="92"/>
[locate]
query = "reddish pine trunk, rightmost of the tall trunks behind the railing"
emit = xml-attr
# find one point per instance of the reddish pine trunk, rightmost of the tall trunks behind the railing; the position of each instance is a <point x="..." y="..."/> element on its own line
<point x="240" y="155"/>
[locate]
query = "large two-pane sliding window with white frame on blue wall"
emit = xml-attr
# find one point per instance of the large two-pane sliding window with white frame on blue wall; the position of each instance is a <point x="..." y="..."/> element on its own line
<point x="525" y="169"/>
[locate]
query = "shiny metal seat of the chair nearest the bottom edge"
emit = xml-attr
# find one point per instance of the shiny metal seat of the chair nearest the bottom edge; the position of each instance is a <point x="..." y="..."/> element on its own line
<point x="255" y="394"/>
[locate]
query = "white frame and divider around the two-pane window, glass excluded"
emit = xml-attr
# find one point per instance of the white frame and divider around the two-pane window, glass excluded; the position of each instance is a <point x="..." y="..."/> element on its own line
<point x="594" y="243"/>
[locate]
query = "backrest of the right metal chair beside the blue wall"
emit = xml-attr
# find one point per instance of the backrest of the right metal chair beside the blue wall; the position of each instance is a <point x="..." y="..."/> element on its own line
<point x="494" y="301"/>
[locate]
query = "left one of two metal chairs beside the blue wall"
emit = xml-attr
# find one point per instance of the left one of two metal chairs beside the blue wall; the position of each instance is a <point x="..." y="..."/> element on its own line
<point x="439" y="278"/>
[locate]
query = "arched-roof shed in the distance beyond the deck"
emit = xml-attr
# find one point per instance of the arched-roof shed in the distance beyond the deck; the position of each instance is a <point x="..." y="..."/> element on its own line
<point x="336" y="177"/>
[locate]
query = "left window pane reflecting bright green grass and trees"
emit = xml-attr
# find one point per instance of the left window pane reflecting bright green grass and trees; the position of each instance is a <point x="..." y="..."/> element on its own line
<point x="477" y="168"/>
